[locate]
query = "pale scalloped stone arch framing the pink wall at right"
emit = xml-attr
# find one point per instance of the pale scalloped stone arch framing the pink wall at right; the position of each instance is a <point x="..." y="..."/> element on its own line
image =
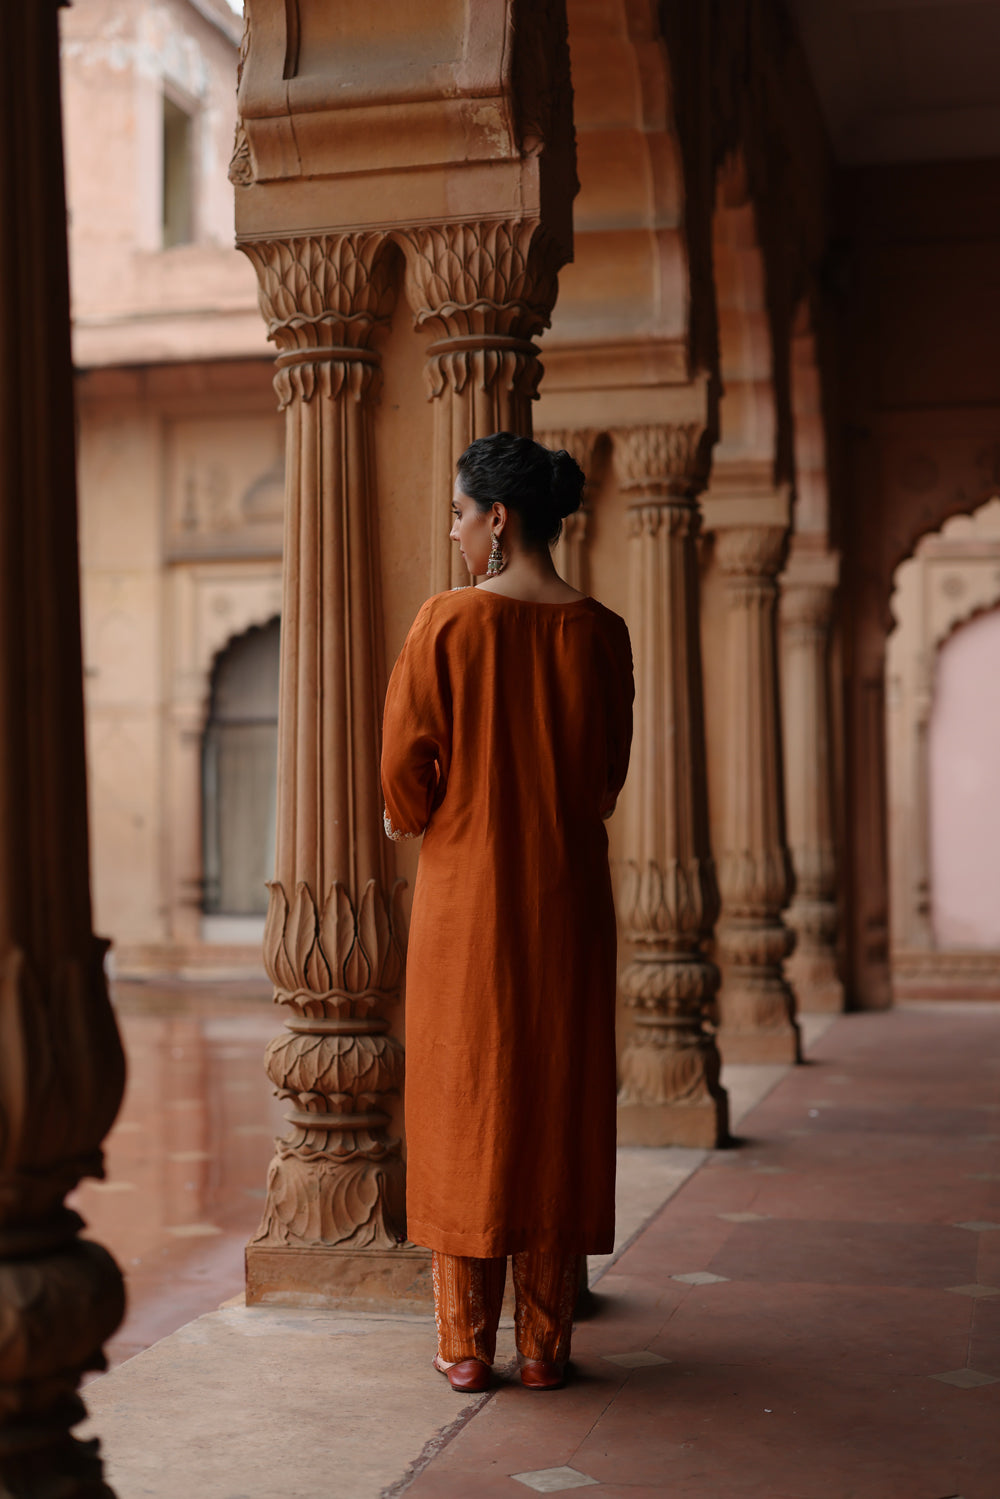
<point x="951" y="578"/>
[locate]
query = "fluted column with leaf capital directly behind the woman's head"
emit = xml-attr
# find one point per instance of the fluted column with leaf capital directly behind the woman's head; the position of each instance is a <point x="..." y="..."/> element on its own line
<point x="487" y="290"/>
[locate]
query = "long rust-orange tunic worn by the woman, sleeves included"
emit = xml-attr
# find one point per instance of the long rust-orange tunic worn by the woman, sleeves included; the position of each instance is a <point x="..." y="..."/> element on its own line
<point x="506" y="743"/>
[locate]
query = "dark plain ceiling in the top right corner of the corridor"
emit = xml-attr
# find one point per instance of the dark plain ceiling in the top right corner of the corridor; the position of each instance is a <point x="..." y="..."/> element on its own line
<point x="906" y="80"/>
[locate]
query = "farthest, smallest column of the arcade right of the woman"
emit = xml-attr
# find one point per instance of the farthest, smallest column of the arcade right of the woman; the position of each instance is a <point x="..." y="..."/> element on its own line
<point x="807" y="609"/>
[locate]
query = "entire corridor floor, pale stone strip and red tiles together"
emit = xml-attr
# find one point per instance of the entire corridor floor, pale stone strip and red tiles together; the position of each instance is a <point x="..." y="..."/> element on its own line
<point x="812" y="1315"/>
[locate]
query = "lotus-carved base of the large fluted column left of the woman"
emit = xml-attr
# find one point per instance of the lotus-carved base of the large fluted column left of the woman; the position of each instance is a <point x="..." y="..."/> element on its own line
<point x="334" y="1225"/>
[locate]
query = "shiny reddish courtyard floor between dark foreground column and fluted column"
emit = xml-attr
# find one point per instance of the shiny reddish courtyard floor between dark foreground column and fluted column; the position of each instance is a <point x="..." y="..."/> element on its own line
<point x="188" y="1156"/>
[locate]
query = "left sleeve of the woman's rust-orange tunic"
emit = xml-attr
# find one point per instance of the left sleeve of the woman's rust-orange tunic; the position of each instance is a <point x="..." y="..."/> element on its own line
<point x="416" y="731"/>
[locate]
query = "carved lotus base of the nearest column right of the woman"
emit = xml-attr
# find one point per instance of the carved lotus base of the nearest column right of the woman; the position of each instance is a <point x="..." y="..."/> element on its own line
<point x="669" y="1089"/>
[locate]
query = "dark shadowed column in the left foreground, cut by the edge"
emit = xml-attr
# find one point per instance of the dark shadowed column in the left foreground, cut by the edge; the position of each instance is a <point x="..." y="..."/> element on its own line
<point x="62" y="1071"/>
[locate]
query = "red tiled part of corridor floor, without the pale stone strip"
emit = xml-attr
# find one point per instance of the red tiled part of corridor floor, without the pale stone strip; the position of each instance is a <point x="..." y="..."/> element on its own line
<point x="807" y="1374"/>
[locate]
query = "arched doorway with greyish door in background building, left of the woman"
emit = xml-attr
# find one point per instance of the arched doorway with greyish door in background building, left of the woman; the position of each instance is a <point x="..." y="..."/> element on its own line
<point x="239" y="786"/>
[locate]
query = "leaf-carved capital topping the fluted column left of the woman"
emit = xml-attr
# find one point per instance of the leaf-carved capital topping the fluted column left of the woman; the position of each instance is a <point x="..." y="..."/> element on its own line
<point x="323" y="298"/>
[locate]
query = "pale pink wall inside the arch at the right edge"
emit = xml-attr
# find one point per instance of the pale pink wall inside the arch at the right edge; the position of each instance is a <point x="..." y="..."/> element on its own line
<point x="965" y="788"/>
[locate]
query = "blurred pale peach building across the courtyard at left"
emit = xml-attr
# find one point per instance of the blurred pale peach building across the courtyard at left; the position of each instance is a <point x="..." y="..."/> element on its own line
<point x="181" y="491"/>
